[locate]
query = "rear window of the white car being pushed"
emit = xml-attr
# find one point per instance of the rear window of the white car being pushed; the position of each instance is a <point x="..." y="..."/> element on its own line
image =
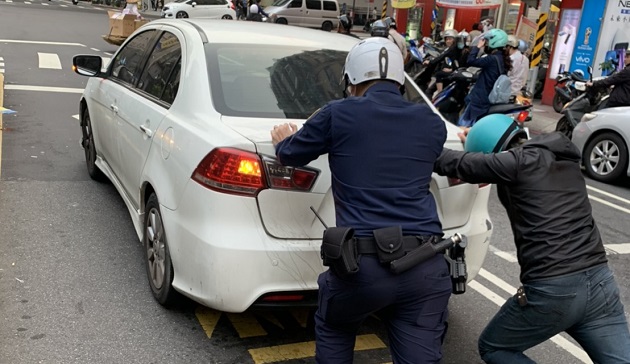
<point x="276" y="81"/>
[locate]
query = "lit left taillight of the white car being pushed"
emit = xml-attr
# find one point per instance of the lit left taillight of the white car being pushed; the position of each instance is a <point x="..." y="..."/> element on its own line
<point x="239" y="172"/>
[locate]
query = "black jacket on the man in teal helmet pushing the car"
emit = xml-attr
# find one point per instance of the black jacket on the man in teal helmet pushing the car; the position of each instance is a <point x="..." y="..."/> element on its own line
<point x="540" y="184"/>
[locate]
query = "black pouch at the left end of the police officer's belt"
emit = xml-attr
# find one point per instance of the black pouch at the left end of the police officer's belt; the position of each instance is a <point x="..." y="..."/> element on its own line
<point x="339" y="250"/>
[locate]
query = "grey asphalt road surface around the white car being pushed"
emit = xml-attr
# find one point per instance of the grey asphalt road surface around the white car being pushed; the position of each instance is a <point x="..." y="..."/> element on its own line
<point x="72" y="280"/>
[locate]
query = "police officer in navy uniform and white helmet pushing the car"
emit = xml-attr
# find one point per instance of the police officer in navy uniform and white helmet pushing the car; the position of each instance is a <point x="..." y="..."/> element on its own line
<point x="381" y="150"/>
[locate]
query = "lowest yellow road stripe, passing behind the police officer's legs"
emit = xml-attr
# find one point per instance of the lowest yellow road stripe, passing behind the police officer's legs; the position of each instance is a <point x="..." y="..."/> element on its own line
<point x="273" y="354"/>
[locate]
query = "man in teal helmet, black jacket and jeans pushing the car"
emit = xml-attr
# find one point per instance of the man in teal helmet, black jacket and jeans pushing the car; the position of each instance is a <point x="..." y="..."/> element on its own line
<point x="566" y="282"/>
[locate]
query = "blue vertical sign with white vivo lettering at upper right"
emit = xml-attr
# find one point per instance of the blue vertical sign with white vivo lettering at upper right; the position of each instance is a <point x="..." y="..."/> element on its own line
<point x="588" y="34"/>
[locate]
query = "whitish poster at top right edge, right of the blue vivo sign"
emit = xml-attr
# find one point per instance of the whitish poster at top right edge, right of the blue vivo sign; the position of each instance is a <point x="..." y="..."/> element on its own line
<point x="614" y="37"/>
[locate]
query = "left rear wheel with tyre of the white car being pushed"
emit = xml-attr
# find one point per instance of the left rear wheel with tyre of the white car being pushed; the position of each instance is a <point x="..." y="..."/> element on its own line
<point x="158" y="263"/>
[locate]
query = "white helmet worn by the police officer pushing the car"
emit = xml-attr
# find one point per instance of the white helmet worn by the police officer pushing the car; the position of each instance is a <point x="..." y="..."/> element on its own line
<point x="374" y="58"/>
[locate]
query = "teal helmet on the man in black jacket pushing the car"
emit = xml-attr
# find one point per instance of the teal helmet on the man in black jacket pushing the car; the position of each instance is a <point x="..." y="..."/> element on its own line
<point x="492" y="134"/>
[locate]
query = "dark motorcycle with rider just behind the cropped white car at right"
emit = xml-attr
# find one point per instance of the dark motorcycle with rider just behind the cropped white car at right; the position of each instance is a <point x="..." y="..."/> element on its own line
<point x="592" y="100"/>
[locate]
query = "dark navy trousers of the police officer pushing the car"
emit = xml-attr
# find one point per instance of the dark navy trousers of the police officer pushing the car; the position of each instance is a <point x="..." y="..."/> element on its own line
<point x="413" y="306"/>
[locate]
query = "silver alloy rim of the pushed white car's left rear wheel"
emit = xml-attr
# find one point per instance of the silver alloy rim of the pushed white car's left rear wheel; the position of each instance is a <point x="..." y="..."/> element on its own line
<point x="156" y="248"/>
